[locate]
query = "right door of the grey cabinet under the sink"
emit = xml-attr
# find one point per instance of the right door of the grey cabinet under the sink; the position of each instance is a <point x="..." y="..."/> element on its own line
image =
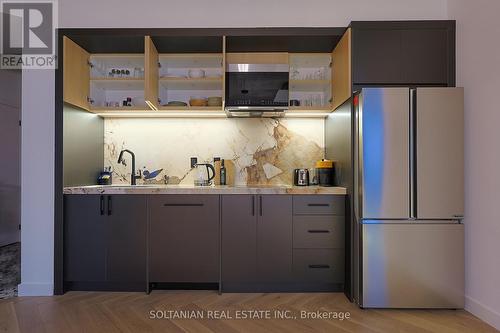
<point x="126" y="227"/>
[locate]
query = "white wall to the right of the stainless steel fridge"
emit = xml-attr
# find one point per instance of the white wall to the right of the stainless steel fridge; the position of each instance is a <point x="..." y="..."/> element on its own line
<point x="478" y="70"/>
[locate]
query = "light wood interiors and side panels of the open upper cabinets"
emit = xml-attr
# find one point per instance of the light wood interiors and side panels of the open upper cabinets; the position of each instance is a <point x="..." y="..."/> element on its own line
<point x="166" y="78"/>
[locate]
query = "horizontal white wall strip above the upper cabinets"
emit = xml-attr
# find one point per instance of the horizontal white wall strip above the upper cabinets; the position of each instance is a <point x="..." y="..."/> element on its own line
<point x="241" y="13"/>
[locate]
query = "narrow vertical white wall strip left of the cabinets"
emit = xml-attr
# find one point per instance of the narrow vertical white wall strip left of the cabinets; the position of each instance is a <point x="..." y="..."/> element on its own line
<point x="37" y="183"/>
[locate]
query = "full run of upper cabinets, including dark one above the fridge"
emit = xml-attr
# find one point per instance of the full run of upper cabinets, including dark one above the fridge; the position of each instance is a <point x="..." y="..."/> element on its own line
<point x="180" y="71"/>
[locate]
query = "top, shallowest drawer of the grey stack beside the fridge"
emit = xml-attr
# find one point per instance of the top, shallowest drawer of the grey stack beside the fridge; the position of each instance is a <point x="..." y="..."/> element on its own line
<point x="318" y="204"/>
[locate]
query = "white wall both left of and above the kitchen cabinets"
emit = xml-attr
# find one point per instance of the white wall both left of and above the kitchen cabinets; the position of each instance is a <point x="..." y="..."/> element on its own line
<point x="38" y="105"/>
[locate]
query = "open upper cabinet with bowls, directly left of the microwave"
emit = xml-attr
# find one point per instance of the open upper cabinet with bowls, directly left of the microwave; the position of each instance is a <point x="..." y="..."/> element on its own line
<point x="184" y="73"/>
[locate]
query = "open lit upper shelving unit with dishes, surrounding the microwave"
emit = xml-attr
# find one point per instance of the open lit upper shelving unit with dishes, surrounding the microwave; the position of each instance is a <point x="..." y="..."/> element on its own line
<point x="155" y="70"/>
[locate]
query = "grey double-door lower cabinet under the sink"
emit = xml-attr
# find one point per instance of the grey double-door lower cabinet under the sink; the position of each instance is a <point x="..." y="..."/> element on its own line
<point x="105" y="242"/>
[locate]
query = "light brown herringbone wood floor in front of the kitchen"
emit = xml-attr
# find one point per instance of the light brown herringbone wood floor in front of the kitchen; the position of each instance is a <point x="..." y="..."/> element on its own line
<point x="129" y="312"/>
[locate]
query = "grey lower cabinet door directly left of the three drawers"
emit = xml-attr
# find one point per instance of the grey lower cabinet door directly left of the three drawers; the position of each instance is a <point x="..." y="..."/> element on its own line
<point x="274" y="238"/>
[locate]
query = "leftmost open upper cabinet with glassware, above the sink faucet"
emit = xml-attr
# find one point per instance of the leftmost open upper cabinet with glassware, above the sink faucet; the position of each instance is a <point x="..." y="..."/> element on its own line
<point x="96" y="80"/>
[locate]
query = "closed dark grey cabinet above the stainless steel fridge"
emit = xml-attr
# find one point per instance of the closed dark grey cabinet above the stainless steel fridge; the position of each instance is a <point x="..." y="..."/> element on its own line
<point x="403" y="53"/>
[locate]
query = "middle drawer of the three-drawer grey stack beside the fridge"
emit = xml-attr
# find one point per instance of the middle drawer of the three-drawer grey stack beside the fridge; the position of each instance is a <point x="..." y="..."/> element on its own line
<point x="318" y="232"/>
